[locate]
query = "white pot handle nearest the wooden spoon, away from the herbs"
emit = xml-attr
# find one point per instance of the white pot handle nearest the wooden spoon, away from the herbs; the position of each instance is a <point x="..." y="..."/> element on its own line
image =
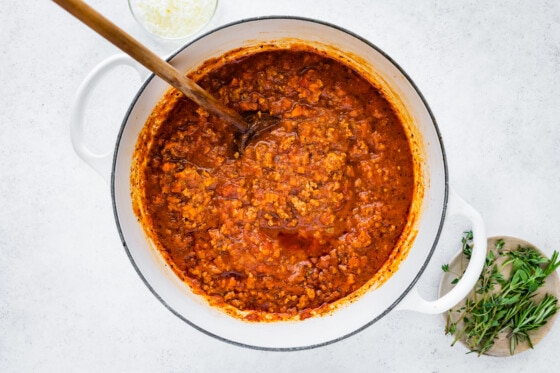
<point x="100" y="162"/>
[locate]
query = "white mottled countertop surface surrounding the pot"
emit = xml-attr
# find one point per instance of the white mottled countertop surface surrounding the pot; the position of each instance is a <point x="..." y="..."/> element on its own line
<point x="70" y="299"/>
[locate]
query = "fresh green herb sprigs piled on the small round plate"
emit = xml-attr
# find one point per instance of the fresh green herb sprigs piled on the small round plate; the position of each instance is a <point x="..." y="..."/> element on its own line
<point x="498" y="304"/>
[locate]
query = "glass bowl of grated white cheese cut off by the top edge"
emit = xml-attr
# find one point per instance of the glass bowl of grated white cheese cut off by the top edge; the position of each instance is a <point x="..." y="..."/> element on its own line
<point x="173" y="19"/>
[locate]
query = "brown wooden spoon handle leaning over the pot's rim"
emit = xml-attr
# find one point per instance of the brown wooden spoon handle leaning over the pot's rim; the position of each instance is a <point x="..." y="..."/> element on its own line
<point x="150" y="60"/>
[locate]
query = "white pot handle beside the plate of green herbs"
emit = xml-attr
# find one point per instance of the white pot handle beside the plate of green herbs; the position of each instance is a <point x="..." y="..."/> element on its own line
<point x="415" y="302"/>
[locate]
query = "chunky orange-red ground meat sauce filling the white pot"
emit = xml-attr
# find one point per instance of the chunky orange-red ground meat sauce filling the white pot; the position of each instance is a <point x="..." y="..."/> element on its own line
<point x="307" y="214"/>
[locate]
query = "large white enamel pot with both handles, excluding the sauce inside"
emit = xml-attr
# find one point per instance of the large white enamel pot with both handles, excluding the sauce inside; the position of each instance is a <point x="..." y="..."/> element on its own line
<point x="434" y="204"/>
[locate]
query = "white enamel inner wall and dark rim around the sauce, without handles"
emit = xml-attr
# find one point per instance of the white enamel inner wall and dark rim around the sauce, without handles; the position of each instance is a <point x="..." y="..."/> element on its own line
<point x="311" y="332"/>
